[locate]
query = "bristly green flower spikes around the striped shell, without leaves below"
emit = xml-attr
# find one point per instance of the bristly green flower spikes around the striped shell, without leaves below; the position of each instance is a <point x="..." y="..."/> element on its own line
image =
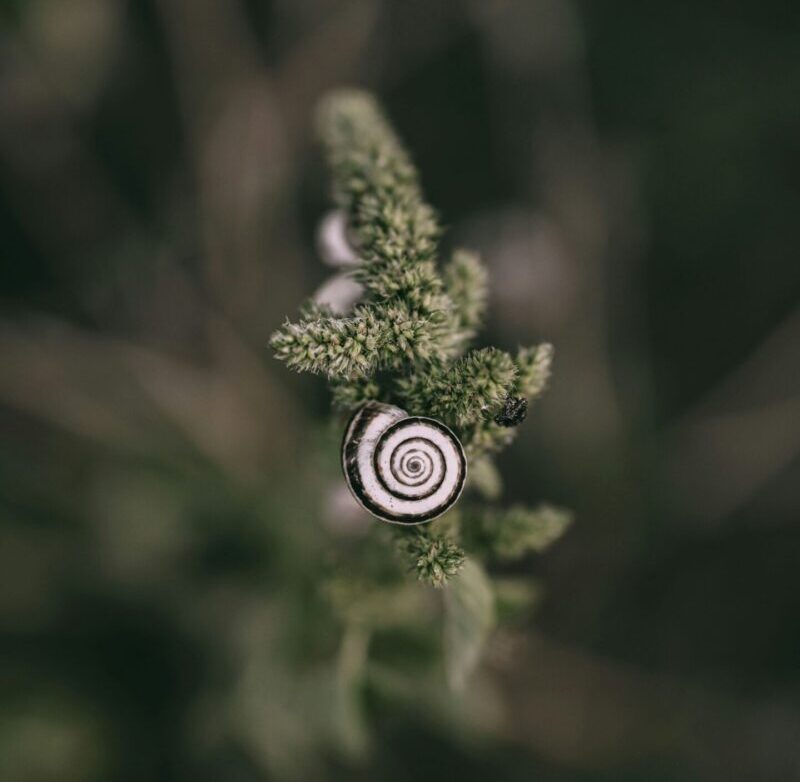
<point x="406" y="342"/>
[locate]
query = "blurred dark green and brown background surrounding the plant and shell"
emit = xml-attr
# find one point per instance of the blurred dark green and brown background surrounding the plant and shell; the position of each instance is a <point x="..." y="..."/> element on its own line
<point x="630" y="171"/>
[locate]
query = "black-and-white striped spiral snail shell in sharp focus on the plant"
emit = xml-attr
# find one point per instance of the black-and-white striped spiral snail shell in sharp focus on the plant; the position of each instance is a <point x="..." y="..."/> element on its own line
<point x="403" y="469"/>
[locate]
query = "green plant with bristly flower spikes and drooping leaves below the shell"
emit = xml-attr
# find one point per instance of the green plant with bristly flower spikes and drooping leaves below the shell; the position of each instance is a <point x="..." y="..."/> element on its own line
<point x="407" y="342"/>
